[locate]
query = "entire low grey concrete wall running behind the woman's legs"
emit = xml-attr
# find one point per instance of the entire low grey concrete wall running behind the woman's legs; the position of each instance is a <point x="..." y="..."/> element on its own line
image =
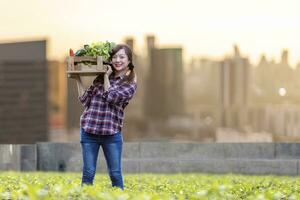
<point x="161" y="157"/>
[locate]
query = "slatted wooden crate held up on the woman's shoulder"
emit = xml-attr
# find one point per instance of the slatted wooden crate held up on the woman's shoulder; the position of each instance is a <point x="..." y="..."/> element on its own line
<point x="76" y="65"/>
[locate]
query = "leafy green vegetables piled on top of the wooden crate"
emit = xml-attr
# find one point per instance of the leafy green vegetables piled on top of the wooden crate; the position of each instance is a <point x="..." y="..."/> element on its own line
<point x="97" y="49"/>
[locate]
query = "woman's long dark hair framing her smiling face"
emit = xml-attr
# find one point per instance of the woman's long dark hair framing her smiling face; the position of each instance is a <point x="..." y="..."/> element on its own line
<point x="128" y="51"/>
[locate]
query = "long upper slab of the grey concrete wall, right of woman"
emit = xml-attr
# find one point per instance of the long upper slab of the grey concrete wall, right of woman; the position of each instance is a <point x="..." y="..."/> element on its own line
<point x="207" y="150"/>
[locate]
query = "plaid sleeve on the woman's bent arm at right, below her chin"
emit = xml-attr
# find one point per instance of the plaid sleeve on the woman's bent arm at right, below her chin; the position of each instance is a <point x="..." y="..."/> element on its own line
<point x="121" y="94"/>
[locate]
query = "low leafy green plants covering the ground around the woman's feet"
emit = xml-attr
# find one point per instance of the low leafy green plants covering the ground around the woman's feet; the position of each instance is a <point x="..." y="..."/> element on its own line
<point x="33" y="186"/>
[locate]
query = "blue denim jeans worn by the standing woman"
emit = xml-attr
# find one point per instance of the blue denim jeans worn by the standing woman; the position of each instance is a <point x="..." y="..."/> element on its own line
<point x="112" y="149"/>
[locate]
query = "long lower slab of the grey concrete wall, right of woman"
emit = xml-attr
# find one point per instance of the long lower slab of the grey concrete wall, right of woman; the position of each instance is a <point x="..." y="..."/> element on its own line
<point x="244" y="166"/>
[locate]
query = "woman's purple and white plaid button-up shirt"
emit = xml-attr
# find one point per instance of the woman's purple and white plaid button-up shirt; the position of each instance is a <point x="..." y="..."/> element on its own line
<point x="104" y="110"/>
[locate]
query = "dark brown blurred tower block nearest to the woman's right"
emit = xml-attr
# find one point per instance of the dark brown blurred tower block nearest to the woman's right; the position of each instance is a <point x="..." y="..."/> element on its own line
<point x="164" y="93"/>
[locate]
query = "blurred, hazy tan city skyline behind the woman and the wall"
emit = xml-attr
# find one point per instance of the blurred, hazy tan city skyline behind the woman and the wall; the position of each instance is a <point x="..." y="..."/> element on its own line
<point x="229" y="93"/>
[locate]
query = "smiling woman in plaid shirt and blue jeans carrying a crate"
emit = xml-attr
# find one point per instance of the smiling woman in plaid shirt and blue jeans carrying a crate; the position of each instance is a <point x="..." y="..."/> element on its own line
<point x="101" y="121"/>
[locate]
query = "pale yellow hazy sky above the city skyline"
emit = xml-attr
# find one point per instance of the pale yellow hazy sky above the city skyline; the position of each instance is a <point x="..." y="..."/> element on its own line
<point x="203" y="28"/>
